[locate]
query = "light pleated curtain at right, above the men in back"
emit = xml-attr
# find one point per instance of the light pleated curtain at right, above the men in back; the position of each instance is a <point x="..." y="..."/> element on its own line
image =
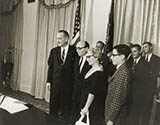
<point x="137" y="21"/>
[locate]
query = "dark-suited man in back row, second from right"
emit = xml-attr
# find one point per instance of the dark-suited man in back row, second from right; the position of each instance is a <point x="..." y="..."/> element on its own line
<point x="140" y="108"/>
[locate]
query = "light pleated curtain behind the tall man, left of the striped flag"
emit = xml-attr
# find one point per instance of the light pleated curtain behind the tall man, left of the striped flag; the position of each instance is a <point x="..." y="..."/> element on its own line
<point x="49" y="21"/>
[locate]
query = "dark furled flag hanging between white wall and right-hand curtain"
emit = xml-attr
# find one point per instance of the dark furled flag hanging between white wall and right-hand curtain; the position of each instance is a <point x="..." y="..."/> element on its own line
<point x="110" y="30"/>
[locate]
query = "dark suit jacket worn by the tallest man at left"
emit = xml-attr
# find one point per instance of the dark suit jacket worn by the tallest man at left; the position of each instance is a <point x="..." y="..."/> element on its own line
<point x="60" y="75"/>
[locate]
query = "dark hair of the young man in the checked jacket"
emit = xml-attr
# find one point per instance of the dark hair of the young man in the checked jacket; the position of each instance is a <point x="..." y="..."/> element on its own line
<point x="122" y="49"/>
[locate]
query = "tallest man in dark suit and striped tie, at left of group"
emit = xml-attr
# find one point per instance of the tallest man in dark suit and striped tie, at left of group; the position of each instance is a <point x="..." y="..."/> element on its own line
<point x="61" y="77"/>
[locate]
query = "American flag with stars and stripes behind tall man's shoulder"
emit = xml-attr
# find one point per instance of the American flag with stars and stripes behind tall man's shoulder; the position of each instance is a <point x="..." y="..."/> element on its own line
<point x="76" y="32"/>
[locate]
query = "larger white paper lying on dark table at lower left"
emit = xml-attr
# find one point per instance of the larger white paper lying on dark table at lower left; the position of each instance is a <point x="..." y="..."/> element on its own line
<point x="10" y="104"/>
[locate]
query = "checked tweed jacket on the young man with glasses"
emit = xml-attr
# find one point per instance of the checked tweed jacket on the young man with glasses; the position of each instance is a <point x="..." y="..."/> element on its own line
<point x="116" y="100"/>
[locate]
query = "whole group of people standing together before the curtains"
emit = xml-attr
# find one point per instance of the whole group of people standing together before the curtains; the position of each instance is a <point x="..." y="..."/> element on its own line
<point x="115" y="88"/>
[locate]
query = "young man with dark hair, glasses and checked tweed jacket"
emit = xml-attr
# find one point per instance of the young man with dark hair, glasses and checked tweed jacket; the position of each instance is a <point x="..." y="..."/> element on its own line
<point x="116" y="100"/>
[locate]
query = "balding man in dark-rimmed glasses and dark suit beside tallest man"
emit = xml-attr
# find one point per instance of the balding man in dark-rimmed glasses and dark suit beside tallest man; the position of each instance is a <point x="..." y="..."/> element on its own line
<point x="81" y="67"/>
